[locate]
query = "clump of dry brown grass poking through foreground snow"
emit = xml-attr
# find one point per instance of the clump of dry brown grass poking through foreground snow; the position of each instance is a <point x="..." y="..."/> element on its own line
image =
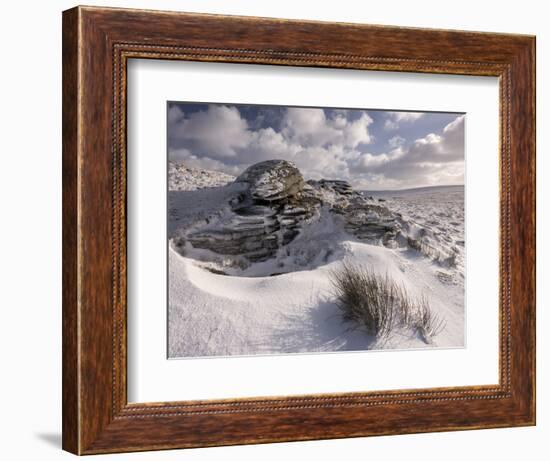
<point x="378" y="305"/>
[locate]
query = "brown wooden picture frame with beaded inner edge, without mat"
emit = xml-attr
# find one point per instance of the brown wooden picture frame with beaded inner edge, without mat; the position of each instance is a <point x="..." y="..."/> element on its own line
<point x="97" y="43"/>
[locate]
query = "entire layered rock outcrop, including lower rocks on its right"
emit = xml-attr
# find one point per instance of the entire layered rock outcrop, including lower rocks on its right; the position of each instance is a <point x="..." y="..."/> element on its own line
<point x="273" y="203"/>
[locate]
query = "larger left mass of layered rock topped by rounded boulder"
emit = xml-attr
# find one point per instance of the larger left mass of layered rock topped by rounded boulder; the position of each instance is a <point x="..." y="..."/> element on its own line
<point x="265" y="215"/>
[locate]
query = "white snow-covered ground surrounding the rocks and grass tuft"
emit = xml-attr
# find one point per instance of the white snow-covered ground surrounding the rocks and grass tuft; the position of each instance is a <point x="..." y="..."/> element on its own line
<point x="247" y="311"/>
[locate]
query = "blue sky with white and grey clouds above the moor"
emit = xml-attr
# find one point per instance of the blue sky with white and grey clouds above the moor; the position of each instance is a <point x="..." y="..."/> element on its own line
<point x="373" y="149"/>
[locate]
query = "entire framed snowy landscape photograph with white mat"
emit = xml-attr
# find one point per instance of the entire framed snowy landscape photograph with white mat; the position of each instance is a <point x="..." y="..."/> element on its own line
<point x="282" y="230"/>
